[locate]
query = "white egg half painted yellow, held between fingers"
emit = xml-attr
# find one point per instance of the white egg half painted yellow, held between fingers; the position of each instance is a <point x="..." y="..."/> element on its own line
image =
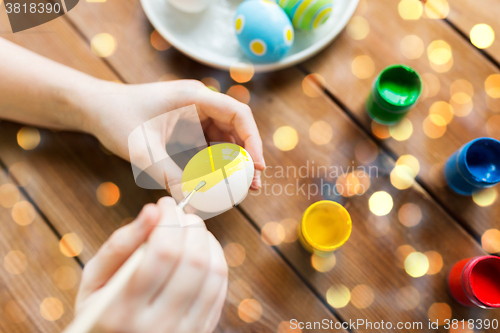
<point x="227" y="170"/>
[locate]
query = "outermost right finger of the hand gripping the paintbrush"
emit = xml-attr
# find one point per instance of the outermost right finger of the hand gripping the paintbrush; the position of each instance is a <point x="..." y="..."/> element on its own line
<point x="199" y="317"/>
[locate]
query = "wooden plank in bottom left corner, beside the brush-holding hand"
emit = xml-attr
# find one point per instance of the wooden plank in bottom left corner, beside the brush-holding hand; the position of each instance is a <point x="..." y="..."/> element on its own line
<point x="38" y="284"/>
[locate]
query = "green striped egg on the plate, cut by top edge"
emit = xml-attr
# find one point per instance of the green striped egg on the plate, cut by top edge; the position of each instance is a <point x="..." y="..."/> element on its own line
<point x="307" y="14"/>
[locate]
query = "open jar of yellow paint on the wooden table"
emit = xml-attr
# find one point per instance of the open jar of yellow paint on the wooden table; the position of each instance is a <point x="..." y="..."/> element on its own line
<point x="325" y="226"/>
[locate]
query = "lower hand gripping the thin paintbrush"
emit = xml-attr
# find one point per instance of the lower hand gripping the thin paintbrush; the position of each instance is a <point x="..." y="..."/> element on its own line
<point x="180" y="285"/>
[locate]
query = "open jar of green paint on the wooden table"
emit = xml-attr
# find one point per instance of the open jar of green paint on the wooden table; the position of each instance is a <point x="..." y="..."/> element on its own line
<point x="394" y="93"/>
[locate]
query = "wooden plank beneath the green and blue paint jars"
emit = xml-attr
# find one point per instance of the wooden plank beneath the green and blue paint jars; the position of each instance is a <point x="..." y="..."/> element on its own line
<point x="387" y="44"/>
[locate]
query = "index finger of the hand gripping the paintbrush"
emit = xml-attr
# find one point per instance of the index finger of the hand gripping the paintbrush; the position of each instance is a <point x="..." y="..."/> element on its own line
<point x="162" y="253"/>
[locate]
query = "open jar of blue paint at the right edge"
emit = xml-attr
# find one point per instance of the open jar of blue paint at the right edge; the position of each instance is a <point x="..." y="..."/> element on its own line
<point x="475" y="166"/>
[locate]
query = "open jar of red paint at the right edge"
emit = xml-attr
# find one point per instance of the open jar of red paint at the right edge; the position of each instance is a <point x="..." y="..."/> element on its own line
<point x="475" y="282"/>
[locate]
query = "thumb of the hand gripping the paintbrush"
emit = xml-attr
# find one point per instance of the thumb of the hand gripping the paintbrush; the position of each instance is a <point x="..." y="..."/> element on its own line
<point x="122" y="243"/>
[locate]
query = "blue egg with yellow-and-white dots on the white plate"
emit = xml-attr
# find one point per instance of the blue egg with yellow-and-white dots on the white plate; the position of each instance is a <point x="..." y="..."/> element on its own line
<point x="264" y="31"/>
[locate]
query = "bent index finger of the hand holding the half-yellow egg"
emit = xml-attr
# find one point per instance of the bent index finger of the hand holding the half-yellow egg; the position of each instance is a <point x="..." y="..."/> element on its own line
<point x="227" y="110"/>
